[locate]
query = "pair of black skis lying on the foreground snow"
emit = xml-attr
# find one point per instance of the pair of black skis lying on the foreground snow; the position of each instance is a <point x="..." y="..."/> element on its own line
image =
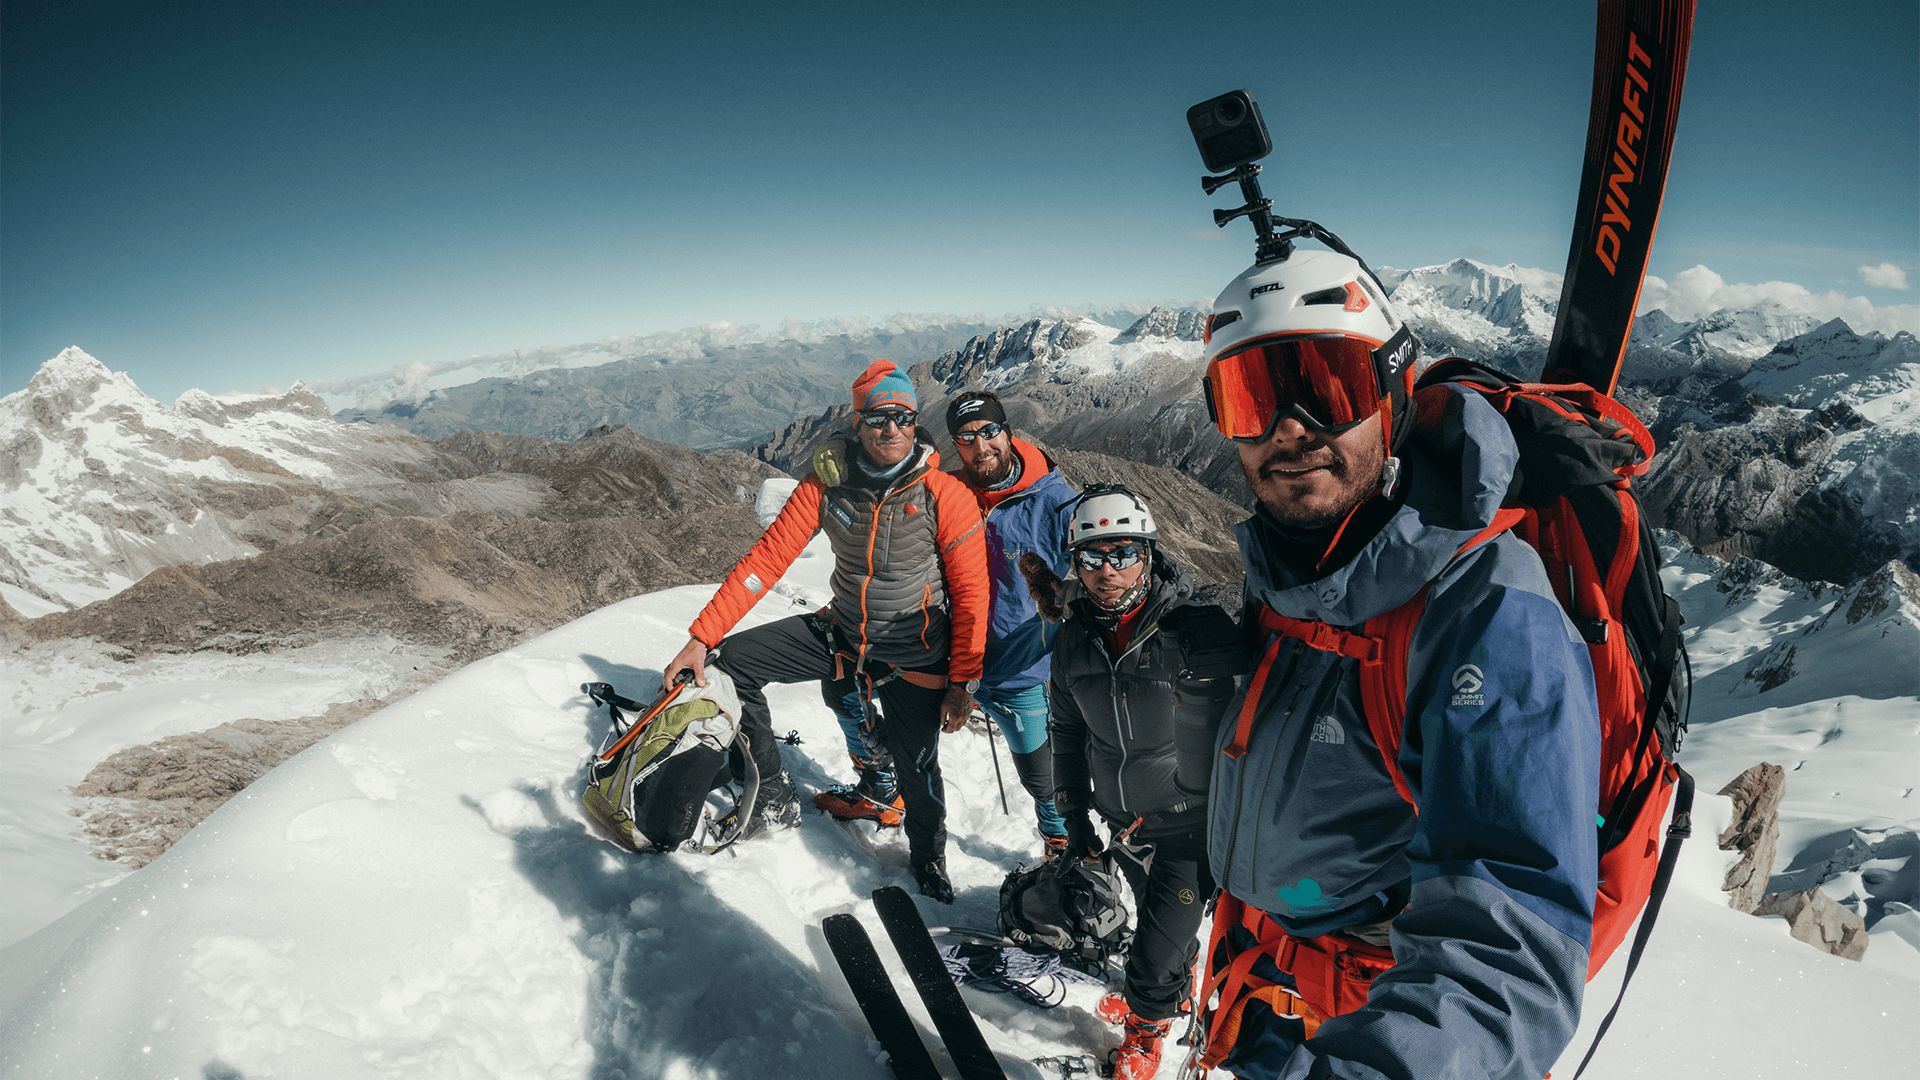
<point x="882" y="1006"/>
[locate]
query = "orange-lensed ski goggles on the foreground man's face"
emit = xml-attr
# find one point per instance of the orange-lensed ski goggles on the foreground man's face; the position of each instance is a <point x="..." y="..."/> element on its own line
<point x="1330" y="383"/>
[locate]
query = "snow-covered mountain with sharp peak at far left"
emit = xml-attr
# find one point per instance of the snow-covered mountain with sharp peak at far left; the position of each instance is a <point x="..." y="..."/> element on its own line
<point x="103" y="485"/>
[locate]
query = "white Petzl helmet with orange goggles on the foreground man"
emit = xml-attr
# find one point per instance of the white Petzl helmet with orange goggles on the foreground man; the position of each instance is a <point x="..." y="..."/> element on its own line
<point x="1310" y="337"/>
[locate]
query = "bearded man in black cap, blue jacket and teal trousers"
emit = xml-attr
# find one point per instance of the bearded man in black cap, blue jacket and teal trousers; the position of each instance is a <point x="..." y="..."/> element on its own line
<point x="1022" y="497"/>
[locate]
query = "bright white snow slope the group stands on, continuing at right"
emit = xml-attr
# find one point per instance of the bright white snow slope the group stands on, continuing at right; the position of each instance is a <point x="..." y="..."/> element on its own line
<point x="418" y="898"/>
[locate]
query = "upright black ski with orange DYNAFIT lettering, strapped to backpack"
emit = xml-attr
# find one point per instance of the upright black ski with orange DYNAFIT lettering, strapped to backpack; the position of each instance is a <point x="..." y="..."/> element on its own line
<point x="1639" y="70"/>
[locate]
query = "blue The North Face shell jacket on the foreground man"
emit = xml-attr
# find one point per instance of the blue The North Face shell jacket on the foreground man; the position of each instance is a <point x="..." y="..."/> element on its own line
<point x="1502" y="754"/>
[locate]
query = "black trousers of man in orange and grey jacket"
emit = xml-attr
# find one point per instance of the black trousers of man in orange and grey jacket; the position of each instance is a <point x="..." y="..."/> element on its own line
<point x="802" y="650"/>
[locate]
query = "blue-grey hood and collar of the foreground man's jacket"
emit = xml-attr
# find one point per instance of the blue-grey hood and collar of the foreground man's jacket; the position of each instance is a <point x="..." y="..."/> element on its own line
<point x="1458" y="470"/>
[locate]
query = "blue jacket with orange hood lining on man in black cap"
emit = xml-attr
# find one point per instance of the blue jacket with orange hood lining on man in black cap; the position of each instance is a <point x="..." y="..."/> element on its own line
<point x="1026" y="520"/>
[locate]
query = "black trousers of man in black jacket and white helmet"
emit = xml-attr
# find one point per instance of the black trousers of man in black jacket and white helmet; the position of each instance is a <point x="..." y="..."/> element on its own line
<point x="1170" y="896"/>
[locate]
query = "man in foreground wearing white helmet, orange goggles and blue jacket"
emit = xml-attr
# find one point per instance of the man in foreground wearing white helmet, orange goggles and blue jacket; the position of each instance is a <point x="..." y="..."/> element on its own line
<point x="1410" y="914"/>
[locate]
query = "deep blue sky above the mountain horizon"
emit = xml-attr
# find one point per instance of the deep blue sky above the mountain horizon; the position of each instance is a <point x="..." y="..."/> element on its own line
<point x="229" y="195"/>
